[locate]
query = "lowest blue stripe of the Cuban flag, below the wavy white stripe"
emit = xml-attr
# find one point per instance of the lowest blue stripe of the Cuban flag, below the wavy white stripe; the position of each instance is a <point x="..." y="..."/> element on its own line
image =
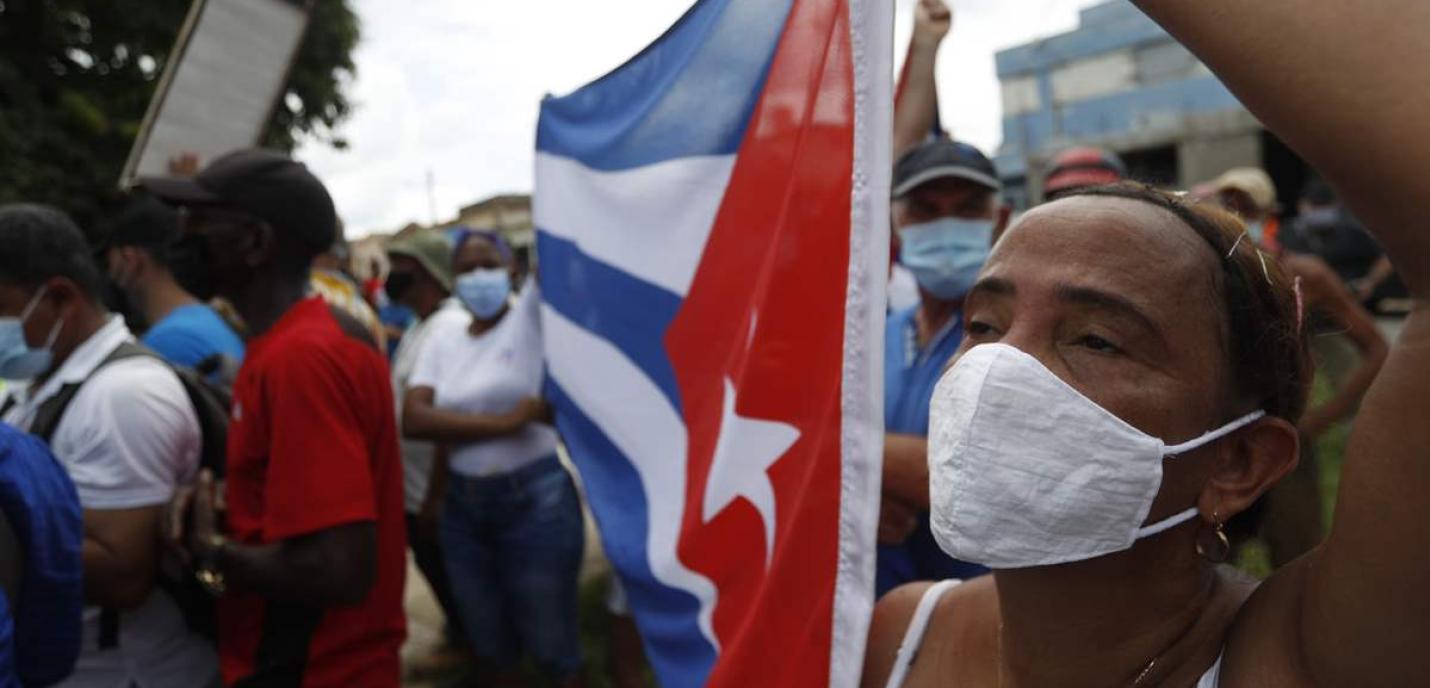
<point x="669" y="617"/>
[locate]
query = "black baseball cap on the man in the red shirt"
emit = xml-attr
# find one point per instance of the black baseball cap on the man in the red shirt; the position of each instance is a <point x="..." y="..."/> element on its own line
<point x="264" y="184"/>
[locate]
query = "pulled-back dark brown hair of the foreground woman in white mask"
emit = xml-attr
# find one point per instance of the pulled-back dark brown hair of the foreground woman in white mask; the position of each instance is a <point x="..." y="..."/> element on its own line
<point x="1266" y="344"/>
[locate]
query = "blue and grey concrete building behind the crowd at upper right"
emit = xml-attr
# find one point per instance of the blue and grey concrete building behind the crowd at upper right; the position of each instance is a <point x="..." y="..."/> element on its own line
<point x="1123" y="84"/>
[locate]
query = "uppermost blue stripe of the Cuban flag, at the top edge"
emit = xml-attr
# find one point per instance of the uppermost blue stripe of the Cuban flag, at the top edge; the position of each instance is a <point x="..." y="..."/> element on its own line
<point x="690" y="94"/>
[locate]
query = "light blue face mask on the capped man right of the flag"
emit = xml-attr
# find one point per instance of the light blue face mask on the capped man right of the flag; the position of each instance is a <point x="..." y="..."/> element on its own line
<point x="947" y="254"/>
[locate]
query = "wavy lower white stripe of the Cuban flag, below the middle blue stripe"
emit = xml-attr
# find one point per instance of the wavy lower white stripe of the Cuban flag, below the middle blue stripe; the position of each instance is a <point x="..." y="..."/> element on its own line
<point x="637" y="418"/>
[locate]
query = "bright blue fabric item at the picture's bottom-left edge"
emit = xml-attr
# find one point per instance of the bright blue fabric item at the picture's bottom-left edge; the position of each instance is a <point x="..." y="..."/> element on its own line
<point x="41" y="633"/>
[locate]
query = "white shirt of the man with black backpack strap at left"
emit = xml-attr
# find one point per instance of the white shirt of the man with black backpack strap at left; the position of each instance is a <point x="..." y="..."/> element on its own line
<point x="127" y="440"/>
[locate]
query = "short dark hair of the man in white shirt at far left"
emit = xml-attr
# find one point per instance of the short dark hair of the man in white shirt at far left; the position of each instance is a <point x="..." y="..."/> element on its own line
<point x="39" y="244"/>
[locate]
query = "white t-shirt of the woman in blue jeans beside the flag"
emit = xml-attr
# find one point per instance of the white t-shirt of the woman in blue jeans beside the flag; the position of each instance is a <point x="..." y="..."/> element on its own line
<point x="490" y="375"/>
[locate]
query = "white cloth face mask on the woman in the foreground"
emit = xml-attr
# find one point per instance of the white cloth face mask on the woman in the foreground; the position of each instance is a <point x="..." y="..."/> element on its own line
<point x="1025" y="471"/>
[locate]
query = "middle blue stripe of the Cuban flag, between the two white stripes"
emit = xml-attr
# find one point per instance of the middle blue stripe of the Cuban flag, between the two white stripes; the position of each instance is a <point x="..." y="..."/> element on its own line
<point x="623" y="310"/>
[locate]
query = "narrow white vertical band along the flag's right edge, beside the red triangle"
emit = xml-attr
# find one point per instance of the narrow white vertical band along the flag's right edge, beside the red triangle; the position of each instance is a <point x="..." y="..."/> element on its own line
<point x="872" y="38"/>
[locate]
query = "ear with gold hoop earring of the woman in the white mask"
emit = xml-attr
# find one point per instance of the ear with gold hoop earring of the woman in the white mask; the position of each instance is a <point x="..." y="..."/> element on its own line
<point x="1252" y="463"/>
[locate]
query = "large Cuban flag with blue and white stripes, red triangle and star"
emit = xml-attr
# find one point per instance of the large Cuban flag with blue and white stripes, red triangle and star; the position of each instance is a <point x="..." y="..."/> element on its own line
<point x="713" y="244"/>
